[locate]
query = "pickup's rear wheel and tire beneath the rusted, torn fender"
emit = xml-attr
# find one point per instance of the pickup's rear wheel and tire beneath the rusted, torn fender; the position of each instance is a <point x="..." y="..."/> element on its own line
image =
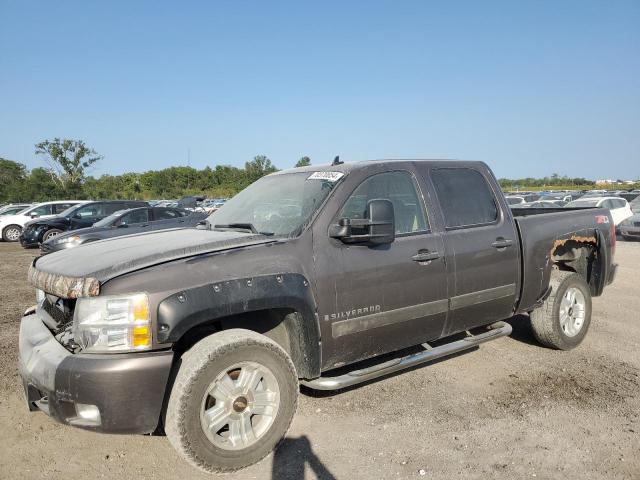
<point x="562" y="323"/>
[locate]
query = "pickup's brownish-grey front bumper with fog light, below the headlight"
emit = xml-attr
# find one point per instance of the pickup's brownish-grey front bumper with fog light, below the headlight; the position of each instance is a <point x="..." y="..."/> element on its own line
<point x="113" y="393"/>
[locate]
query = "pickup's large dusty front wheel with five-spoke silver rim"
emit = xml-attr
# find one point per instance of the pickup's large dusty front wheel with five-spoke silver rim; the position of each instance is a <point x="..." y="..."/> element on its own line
<point x="209" y="366"/>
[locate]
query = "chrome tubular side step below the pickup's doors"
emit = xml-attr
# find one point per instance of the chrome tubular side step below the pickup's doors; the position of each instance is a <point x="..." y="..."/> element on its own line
<point x="496" y="330"/>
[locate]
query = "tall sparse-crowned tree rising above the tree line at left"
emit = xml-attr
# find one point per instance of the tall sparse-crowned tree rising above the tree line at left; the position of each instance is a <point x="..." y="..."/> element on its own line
<point x="68" y="161"/>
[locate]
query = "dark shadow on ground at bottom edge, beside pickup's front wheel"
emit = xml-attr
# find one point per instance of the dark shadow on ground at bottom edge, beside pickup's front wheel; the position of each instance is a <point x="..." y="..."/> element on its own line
<point x="291" y="457"/>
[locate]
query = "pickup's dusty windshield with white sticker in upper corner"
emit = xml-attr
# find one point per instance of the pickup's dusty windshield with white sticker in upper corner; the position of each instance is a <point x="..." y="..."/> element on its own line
<point x="277" y="204"/>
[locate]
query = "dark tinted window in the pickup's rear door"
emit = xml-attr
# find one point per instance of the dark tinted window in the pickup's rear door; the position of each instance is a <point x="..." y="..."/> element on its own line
<point x="465" y="197"/>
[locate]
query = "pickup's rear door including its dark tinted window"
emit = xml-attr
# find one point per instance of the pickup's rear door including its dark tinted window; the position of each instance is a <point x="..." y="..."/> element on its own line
<point x="482" y="247"/>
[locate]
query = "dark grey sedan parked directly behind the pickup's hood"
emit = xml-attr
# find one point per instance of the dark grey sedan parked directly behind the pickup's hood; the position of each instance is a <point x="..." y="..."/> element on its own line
<point x="125" y="222"/>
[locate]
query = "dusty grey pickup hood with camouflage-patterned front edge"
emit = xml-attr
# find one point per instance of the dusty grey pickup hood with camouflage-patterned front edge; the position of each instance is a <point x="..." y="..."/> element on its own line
<point x="80" y="271"/>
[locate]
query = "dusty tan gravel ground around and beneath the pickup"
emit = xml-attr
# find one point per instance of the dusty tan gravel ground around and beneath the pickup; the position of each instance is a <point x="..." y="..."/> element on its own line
<point x="510" y="409"/>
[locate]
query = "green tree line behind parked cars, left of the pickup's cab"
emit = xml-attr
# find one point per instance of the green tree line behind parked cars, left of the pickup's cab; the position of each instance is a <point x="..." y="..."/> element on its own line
<point x="65" y="176"/>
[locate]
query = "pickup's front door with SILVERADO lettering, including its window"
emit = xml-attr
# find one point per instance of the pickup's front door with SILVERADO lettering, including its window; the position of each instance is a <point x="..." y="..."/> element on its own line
<point x="376" y="299"/>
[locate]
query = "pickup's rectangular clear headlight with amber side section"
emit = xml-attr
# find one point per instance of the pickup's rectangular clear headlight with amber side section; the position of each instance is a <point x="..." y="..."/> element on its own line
<point x="112" y="323"/>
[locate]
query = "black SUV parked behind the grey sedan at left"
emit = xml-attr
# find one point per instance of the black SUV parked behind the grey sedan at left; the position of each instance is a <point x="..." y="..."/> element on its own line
<point x="75" y="217"/>
